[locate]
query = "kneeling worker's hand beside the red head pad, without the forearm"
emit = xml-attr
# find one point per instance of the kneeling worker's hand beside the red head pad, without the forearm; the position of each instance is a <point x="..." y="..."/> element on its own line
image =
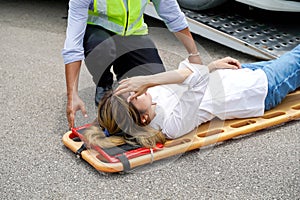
<point x="73" y="105"/>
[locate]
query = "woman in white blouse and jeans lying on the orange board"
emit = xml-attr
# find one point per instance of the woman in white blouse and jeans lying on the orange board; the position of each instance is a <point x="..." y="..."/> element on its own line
<point x="146" y="110"/>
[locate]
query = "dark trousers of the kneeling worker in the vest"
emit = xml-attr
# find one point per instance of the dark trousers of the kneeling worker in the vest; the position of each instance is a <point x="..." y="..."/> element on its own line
<point x="129" y="55"/>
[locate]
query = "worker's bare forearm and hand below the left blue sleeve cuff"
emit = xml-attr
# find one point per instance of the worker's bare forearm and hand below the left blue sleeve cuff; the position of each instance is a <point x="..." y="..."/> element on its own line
<point x="74" y="103"/>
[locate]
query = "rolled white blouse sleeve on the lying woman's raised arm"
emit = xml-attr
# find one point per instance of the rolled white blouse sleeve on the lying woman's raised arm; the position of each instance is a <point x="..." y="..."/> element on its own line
<point x="183" y="117"/>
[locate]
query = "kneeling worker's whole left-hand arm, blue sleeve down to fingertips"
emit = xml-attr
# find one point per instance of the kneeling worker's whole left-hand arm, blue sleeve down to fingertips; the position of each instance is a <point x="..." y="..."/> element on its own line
<point x="73" y="53"/>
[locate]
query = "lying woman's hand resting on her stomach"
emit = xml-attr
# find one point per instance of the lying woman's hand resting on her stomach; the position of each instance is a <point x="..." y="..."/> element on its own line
<point x="224" y="63"/>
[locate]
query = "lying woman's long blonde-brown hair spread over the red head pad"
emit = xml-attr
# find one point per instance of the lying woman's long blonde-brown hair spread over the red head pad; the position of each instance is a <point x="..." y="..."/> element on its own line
<point x="123" y="122"/>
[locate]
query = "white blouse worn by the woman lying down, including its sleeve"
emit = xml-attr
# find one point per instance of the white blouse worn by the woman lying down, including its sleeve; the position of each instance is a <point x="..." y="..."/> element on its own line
<point x="224" y="93"/>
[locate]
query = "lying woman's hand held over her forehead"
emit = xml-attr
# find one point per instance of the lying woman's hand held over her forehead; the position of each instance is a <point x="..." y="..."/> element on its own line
<point x="137" y="84"/>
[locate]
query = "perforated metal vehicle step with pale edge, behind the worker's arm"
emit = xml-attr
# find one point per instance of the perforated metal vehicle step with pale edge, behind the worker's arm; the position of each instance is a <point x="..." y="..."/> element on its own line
<point x="244" y="34"/>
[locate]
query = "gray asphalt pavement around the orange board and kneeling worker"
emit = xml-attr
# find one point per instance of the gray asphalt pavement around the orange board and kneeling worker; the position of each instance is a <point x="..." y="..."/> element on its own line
<point x="36" y="165"/>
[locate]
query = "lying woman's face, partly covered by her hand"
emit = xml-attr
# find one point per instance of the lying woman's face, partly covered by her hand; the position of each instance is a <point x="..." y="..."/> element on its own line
<point x="144" y="105"/>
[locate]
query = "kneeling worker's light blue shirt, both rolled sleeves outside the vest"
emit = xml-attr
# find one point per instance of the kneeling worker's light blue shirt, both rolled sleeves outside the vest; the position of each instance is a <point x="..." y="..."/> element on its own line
<point x="168" y="10"/>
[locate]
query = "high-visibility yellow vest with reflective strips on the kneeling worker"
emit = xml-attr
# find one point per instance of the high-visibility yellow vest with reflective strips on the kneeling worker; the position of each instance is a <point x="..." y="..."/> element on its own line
<point x="123" y="17"/>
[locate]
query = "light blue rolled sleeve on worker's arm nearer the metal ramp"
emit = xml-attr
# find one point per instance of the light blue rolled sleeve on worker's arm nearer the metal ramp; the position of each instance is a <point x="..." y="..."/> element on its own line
<point x="171" y="14"/>
